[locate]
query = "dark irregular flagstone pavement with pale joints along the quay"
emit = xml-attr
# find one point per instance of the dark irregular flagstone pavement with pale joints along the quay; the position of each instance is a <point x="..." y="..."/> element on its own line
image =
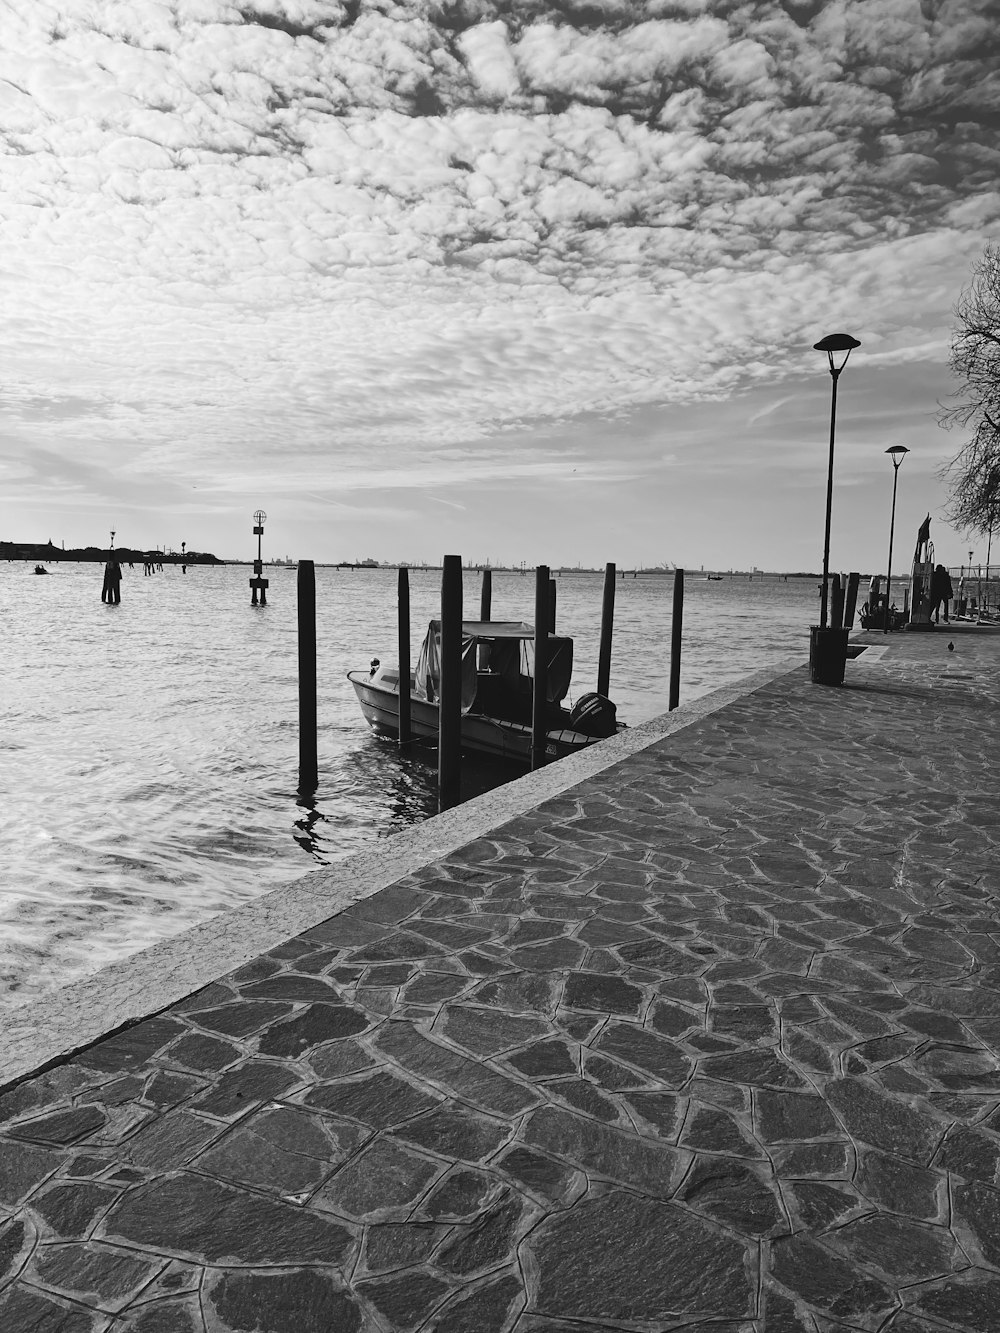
<point x="710" y="1042"/>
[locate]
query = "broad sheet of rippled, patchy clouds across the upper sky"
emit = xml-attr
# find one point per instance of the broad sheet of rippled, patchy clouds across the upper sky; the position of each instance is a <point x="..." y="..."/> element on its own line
<point x="266" y="233"/>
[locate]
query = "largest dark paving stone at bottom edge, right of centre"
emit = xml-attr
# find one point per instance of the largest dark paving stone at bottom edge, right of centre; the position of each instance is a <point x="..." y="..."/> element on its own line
<point x="605" y="1260"/>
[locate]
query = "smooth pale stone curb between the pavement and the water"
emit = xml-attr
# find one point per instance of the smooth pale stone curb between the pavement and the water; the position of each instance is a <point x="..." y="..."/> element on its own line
<point x="55" y="1026"/>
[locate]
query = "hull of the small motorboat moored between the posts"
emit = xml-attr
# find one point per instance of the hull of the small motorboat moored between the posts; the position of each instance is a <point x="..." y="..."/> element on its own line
<point x="482" y="734"/>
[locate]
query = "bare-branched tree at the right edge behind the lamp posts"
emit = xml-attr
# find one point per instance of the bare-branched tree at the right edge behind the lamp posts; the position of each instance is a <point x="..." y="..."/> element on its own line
<point x="974" y="474"/>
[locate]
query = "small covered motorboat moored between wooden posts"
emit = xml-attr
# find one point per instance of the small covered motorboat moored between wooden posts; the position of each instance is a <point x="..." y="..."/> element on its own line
<point x="498" y="668"/>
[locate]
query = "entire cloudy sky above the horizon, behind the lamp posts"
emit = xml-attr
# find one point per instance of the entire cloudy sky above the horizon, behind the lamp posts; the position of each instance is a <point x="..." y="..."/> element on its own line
<point x="515" y="281"/>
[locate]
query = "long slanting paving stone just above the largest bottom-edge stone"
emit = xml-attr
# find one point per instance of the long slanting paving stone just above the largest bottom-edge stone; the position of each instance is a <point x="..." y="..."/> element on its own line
<point x="605" y="1151"/>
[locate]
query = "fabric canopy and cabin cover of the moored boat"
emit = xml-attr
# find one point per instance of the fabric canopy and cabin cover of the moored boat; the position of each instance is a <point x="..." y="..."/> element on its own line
<point x="503" y="650"/>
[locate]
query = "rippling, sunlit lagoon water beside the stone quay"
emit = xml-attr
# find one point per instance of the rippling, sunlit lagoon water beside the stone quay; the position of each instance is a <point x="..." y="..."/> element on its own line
<point x="149" y="751"/>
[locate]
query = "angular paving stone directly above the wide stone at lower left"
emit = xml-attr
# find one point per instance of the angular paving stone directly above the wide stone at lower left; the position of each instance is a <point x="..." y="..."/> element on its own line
<point x="285" y="1150"/>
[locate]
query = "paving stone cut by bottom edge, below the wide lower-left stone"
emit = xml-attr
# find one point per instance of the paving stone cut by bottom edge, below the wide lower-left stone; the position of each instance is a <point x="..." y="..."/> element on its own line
<point x="293" y="1302"/>
